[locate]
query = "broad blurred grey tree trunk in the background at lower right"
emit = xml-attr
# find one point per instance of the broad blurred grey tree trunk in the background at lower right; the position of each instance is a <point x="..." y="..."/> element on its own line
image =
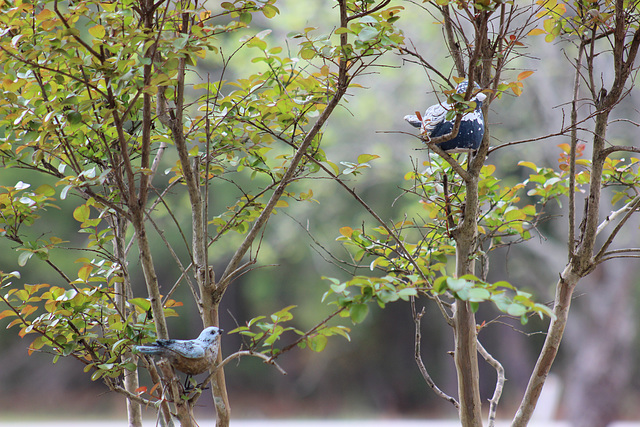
<point x="604" y="332"/>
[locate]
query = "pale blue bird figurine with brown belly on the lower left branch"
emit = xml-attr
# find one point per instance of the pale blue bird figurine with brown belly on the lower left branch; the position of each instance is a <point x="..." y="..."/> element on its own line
<point x="189" y="356"/>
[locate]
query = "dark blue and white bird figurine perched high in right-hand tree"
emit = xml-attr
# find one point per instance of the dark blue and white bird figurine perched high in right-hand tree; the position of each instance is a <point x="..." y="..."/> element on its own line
<point x="434" y="123"/>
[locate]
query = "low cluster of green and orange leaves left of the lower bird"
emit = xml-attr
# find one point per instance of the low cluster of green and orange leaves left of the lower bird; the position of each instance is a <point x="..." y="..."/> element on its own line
<point x="82" y="322"/>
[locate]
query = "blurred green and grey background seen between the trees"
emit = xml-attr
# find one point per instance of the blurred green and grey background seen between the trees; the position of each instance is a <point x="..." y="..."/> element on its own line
<point x="375" y="374"/>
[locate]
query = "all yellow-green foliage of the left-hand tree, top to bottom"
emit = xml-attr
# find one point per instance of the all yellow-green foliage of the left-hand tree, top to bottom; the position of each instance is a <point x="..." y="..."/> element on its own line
<point x="75" y="82"/>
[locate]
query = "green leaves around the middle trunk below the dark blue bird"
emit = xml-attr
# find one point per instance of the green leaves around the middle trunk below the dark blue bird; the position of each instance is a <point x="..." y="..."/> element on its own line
<point x="414" y="259"/>
